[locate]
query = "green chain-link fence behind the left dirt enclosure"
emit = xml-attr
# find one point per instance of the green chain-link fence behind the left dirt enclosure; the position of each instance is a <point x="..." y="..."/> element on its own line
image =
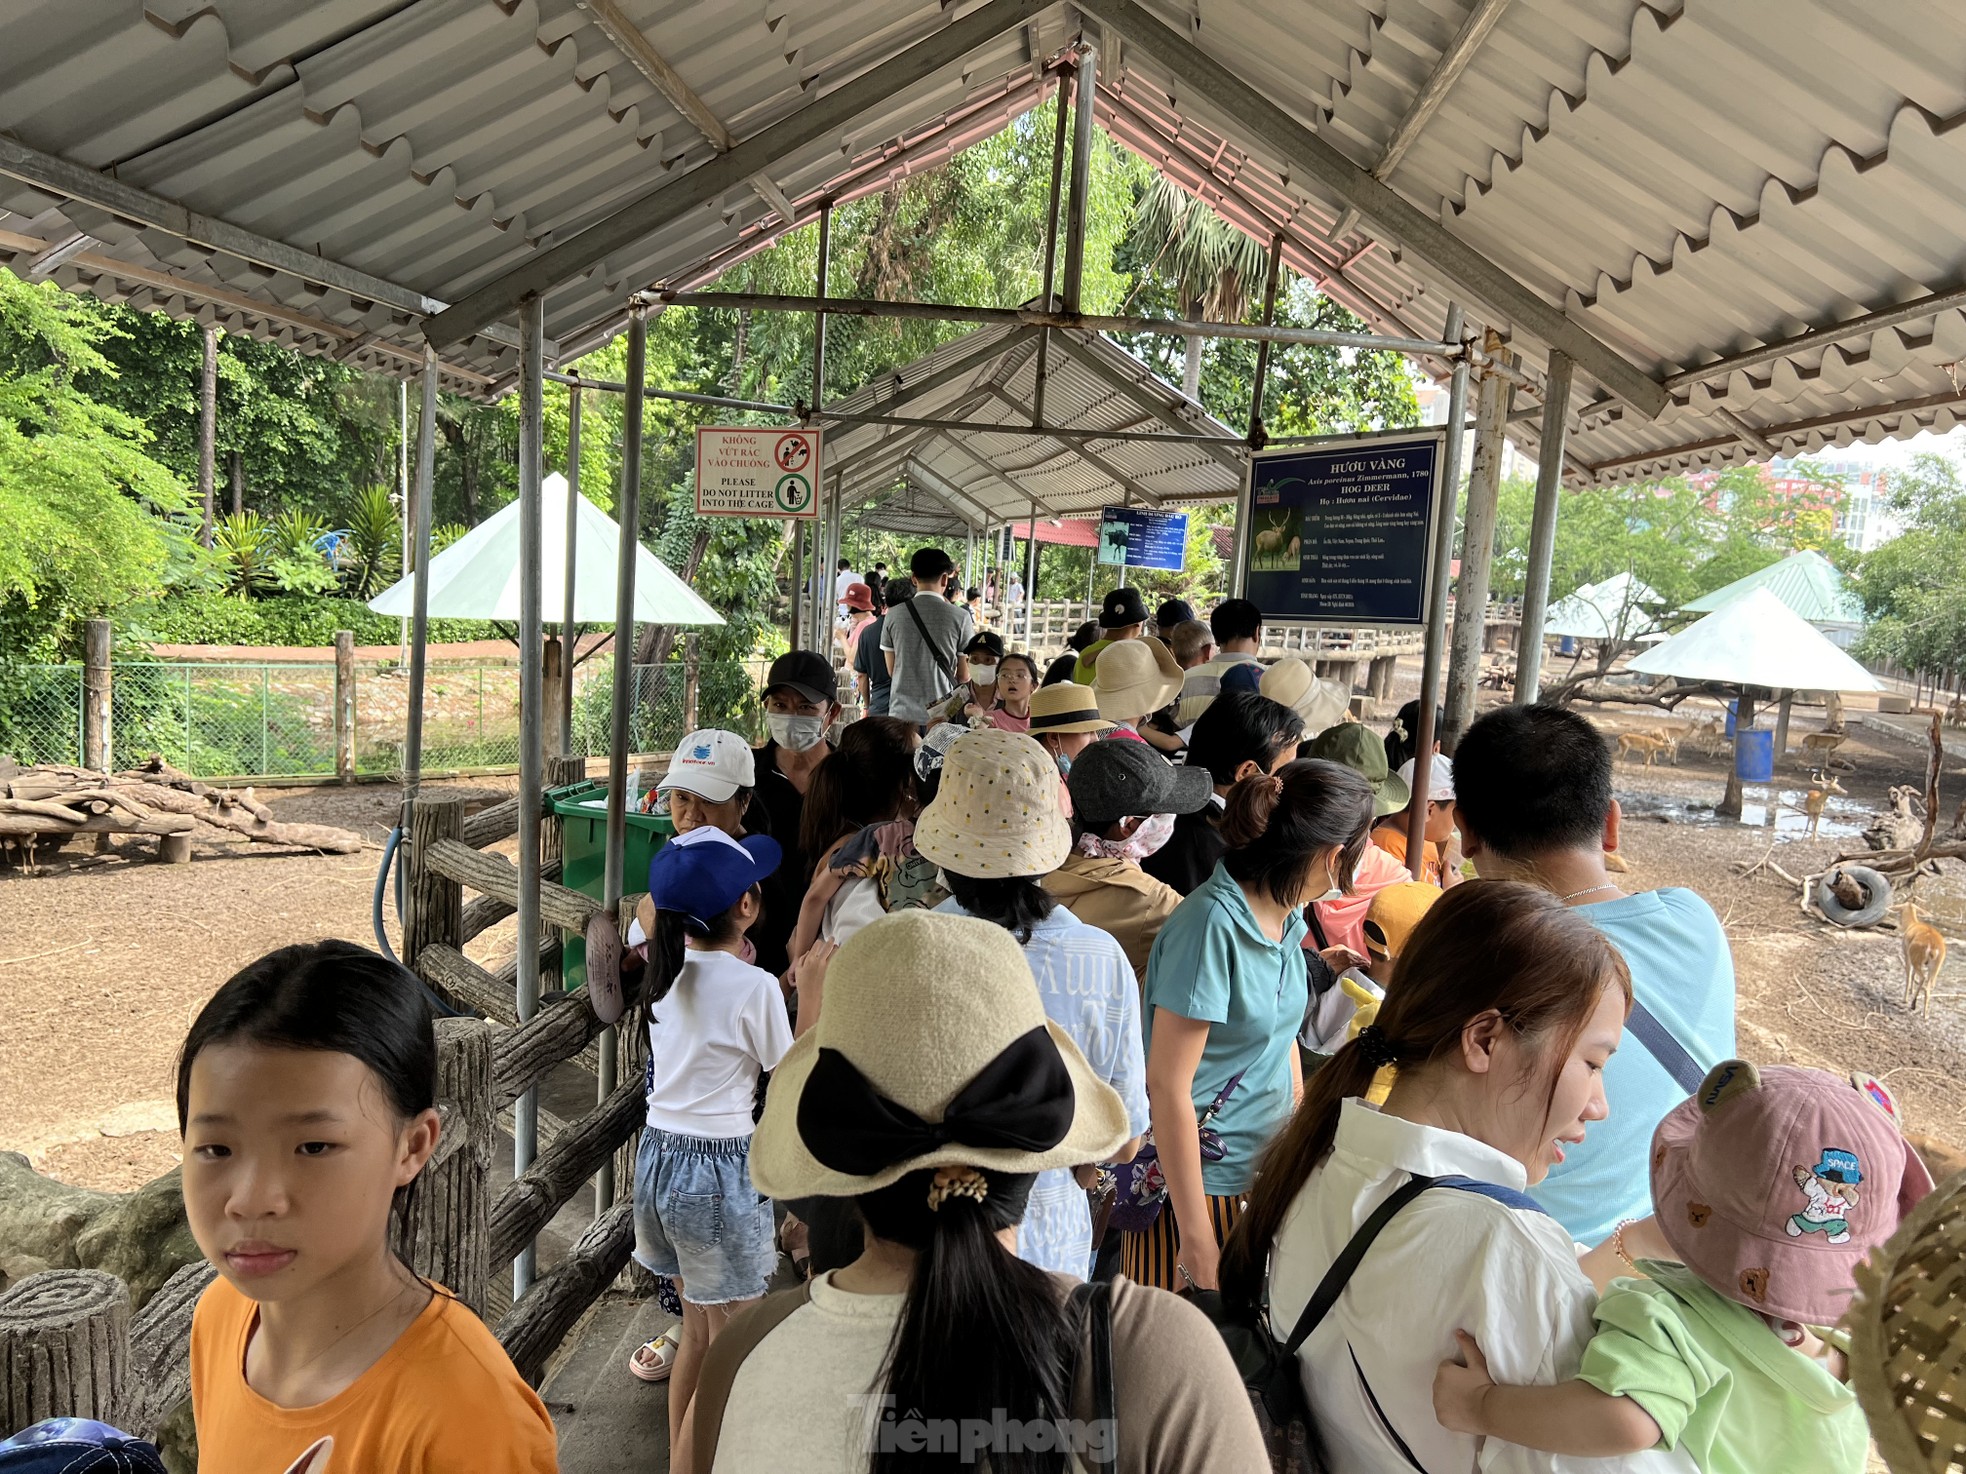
<point x="278" y="720"/>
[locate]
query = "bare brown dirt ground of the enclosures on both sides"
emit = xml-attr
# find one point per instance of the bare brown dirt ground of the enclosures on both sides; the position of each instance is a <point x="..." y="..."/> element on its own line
<point x="105" y="960"/>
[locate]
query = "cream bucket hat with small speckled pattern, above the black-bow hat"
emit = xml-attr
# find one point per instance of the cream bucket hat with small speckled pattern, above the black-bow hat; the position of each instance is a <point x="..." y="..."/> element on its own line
<point x="1000" y="811"/>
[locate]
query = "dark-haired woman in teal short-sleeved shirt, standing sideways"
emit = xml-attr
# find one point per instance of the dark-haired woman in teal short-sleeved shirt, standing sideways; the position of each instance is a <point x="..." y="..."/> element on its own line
<point x="1226" y="997"/>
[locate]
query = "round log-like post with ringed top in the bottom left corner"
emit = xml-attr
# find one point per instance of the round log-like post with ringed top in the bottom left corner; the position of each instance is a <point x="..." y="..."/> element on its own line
<point x="64" y="1347"/>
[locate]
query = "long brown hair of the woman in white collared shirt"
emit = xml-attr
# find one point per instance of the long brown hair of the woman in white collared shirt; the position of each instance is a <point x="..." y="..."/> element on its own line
<point x="1483" y="948"/>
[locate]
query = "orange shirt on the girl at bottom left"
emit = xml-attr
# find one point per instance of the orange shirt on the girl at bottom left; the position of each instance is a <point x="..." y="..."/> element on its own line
<point x="443" y="1398"/>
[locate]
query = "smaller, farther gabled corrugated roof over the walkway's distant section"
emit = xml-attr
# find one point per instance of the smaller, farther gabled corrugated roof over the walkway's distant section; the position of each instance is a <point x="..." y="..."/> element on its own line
<point x="986" y="477"/>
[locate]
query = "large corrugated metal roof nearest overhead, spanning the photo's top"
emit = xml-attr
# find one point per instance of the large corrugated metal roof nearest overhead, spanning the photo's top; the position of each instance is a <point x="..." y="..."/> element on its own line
<point x="1686" y="178"/>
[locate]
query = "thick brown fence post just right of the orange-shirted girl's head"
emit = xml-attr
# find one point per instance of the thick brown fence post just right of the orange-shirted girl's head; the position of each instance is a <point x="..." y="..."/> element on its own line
<point x="447" y="1231"/>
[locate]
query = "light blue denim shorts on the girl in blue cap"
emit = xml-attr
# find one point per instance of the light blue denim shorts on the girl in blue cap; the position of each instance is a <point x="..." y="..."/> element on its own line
<point x="699" y="1218"/>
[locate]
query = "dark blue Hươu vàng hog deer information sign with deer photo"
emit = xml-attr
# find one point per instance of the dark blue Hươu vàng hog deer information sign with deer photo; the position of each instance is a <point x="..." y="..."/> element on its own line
<point x="1342" y="532"/>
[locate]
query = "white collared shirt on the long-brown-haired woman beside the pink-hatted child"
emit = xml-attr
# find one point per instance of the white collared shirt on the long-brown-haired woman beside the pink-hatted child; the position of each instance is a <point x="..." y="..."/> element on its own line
<point x="1450" y="1261"/>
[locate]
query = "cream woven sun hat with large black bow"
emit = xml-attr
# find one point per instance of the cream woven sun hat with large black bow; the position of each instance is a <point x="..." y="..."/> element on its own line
<point x="933" y="1050"/>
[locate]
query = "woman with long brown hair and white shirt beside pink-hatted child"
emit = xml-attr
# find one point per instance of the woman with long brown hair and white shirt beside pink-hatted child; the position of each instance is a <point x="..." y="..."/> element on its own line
<point x="1499" y="1019"/>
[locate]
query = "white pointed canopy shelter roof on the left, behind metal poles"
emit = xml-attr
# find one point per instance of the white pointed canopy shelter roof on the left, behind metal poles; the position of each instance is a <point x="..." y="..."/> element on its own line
<point x="479" y="575"/>
